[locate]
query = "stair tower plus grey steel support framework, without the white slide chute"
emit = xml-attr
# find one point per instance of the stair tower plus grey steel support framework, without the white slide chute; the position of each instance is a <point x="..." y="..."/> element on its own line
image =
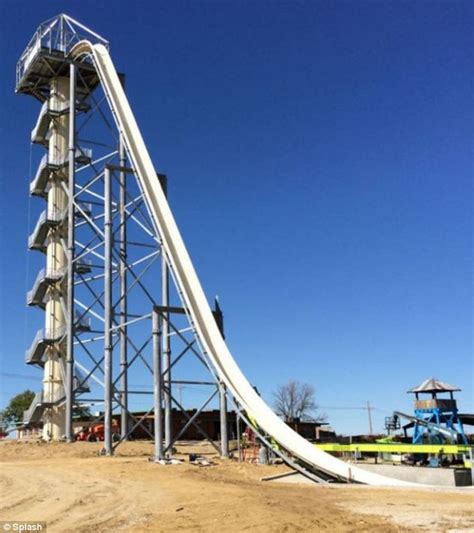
<point x="107" y="289"/>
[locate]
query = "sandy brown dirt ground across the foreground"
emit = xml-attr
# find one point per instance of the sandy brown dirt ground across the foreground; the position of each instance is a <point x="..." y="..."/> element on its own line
<point x="71" y="488"/>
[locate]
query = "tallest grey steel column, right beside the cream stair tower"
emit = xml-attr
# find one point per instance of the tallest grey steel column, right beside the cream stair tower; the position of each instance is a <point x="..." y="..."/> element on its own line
<point x="69" y="389"/>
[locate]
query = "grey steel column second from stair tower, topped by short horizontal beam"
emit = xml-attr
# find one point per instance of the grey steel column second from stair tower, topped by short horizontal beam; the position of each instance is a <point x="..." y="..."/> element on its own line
<point x="108" y="346"/>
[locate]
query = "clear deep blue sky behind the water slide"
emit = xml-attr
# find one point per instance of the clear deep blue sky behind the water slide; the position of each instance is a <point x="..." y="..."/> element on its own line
<point x="320" y="164"/>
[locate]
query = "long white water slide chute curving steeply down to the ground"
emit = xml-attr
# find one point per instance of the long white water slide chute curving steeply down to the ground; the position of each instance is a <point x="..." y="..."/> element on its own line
<point x="193" y="295"/>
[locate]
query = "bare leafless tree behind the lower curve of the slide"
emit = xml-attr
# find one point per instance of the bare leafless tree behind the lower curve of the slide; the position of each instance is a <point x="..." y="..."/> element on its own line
<point x="295" y="400"/>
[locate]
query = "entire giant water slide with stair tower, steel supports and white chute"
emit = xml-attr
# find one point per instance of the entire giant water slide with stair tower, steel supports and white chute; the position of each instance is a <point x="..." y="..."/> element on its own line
<point x="106" y="227"/>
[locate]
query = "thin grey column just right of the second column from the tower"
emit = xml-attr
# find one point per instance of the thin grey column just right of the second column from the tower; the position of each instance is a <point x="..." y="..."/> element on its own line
<point x="124" y="422"/>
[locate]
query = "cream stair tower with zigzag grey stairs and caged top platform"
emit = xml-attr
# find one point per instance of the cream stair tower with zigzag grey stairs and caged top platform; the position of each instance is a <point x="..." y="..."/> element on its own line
<point x="45" y="72"/>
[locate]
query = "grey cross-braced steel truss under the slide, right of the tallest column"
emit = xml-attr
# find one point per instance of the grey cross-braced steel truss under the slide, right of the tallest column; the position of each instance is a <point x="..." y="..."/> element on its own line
<point x="119" y="211"/>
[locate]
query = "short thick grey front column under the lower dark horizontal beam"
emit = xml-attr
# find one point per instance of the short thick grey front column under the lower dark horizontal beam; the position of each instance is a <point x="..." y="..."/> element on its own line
<point x="157" y="324"/>
